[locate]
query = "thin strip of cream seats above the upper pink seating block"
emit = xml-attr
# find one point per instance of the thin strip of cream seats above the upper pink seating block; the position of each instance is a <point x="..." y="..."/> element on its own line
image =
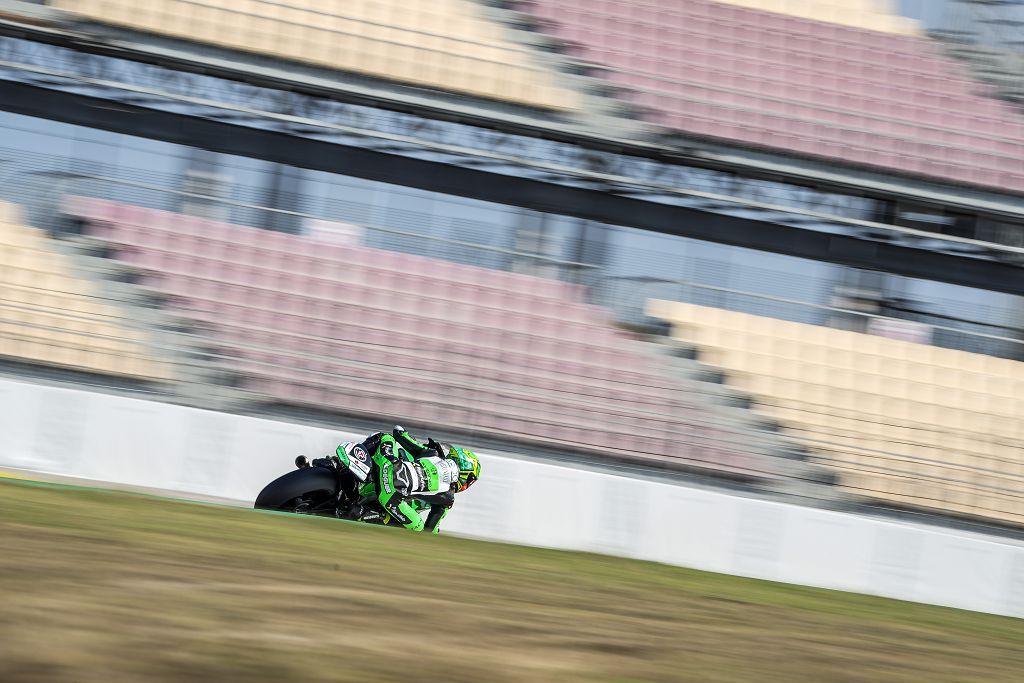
<point x="870" y="15"/>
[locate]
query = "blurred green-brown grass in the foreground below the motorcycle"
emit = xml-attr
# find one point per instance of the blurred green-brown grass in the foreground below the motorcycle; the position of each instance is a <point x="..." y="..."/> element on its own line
<point x="102" y="586"/>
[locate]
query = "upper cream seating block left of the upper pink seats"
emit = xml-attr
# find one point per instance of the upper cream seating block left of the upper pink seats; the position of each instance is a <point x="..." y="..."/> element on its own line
<point x="440" y="45"/>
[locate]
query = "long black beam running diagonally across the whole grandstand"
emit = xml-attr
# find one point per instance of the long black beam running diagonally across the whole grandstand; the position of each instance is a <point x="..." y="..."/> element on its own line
<point x="489" y="187"/>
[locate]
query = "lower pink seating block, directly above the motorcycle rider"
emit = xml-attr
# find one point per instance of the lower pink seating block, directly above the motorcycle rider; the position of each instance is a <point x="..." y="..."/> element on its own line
<point x="378" y="333"/>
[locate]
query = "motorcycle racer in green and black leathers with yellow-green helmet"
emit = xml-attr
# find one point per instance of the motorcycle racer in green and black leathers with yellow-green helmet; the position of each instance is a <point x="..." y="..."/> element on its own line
<point x="408" y="478"/>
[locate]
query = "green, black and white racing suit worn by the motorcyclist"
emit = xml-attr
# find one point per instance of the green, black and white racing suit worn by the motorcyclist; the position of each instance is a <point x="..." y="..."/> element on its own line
<point x="407" y="480"/>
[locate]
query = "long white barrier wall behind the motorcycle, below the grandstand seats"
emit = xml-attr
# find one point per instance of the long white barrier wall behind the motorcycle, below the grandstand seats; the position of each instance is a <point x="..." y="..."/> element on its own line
<point x="145" y="444"/>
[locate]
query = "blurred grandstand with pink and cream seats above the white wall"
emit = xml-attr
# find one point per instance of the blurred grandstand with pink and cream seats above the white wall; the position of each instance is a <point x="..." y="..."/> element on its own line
<point x="774" y="247"/>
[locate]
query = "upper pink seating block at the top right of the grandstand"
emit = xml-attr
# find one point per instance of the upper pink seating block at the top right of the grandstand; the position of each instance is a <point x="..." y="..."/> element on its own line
<point x="776" y="81"/>
